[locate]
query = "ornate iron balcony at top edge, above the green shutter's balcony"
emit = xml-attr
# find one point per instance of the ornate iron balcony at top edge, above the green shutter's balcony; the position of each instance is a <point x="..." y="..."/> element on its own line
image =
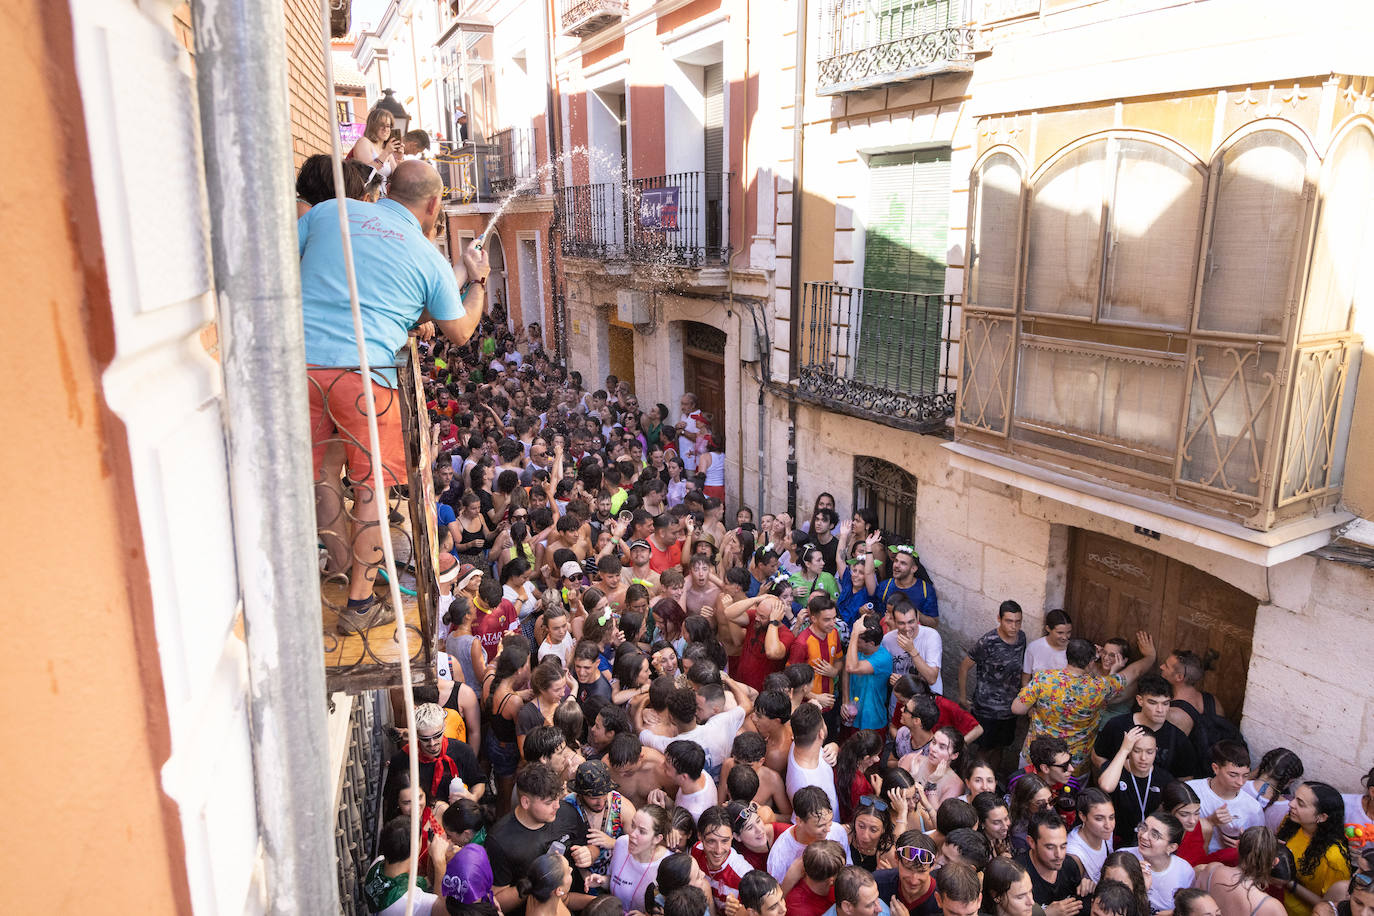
<point x="866" y="45"/>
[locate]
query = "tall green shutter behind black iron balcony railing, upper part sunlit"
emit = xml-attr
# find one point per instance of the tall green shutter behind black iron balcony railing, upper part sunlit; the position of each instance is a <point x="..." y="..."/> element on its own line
<point x="905" y="253"/>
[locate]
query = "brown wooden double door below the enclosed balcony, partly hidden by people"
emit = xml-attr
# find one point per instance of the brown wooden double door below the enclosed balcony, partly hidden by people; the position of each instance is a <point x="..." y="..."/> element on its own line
<point x="1119" y="588"/>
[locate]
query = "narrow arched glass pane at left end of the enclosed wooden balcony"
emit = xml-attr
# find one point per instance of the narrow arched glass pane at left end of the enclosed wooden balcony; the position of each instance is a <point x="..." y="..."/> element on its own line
<point x="997" y="219"/>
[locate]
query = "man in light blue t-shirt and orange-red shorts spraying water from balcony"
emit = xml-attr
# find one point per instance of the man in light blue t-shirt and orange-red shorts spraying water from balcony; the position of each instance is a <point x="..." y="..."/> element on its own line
<point x="402" y="279"/>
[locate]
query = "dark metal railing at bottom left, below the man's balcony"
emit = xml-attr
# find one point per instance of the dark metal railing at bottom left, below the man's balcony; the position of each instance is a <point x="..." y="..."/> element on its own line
<point x="358" y="790"/>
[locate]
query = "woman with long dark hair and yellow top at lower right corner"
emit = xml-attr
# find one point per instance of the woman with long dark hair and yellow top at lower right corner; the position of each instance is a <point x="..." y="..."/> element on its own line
<point x="1316" y="834"/>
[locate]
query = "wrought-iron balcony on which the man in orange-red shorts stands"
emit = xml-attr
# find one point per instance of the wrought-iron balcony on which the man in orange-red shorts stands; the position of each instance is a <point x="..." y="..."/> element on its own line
<point x="373" y="659"/>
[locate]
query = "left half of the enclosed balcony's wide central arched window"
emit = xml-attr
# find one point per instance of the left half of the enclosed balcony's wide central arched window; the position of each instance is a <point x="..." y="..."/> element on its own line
<point x="1064" y="268"/>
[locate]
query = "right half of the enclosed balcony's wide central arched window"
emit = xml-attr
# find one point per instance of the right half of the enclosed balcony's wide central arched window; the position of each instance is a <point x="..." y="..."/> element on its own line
<point x="1156" y="225"/>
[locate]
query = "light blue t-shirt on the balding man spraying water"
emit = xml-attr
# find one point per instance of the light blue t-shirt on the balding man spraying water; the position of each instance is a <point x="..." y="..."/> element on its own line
<point x="399" y="271"/>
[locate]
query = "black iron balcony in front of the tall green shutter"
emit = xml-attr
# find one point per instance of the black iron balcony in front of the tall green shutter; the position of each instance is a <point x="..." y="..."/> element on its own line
<point x="879" y="354"/>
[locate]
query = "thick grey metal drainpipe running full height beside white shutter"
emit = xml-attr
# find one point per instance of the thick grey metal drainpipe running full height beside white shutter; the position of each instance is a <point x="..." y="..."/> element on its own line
<point x="241" y="82"/>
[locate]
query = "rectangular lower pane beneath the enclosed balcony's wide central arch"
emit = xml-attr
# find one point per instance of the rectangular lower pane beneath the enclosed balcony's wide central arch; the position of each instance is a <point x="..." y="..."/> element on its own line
<point x="1123" y="400"/>
